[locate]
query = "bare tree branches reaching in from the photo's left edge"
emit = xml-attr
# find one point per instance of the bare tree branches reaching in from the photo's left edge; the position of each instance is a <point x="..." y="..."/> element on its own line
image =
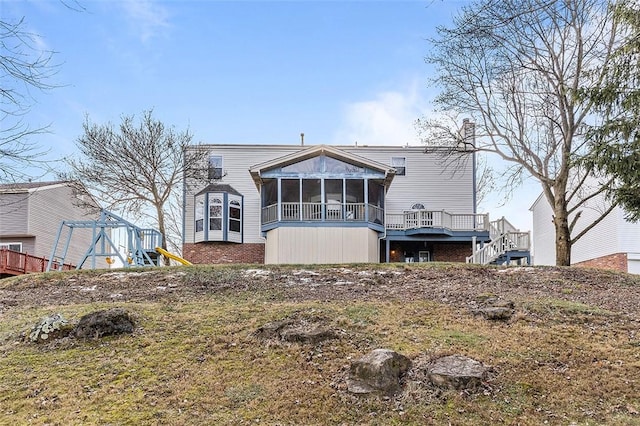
<point x="24" y="67"/>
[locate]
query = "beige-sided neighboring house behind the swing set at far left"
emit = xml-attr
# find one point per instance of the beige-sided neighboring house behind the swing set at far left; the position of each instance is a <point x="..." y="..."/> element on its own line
<point x="31" y="214"/>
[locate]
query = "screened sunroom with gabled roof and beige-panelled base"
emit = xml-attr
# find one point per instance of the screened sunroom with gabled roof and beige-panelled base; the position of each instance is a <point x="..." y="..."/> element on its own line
<point x="322" y="205"/>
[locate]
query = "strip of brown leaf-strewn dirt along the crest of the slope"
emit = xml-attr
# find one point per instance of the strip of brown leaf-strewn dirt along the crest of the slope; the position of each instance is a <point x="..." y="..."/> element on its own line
<point x="459" y="285"/>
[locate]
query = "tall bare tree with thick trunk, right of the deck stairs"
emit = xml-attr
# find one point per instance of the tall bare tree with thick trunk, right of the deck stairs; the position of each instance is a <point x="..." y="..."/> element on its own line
<point x="515" y="67"/>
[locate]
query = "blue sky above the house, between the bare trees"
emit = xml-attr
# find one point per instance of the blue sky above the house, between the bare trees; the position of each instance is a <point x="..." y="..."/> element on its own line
<point x="242" y="71"/>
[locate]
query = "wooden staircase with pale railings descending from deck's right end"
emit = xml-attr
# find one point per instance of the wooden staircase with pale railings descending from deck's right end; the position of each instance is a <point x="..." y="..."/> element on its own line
<point x="507" y="245"/>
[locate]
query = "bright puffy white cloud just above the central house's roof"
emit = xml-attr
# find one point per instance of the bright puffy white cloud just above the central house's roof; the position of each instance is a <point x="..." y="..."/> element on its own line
<point x="387" y="119"/>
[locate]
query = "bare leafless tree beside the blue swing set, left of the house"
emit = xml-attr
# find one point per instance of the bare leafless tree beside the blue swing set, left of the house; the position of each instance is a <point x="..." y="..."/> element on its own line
<point x="137" y="169"/>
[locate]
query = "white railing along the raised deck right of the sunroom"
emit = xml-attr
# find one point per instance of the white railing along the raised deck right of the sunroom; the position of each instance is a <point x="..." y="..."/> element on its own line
<point x="437" y="219"/>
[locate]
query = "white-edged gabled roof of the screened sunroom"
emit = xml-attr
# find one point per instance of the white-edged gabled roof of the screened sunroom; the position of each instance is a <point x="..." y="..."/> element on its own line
<point x="318" y="150"/>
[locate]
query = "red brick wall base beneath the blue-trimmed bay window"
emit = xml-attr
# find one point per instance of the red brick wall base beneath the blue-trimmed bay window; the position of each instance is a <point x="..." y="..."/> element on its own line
<point x="220" y="252"/>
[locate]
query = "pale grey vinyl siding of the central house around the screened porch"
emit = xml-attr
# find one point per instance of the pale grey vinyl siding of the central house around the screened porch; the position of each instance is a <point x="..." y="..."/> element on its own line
<point x="428" y="181"/>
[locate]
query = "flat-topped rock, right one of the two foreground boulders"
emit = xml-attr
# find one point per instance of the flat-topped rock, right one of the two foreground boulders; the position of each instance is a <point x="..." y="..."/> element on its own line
<point x="457" y="372"/>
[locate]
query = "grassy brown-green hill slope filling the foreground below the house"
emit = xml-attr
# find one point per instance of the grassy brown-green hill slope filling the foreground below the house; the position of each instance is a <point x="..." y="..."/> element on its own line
<point x="569" y="355"/>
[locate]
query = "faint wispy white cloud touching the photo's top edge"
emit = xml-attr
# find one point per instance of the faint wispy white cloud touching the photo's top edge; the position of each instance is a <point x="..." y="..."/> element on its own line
<point x="147" y="17"/>
